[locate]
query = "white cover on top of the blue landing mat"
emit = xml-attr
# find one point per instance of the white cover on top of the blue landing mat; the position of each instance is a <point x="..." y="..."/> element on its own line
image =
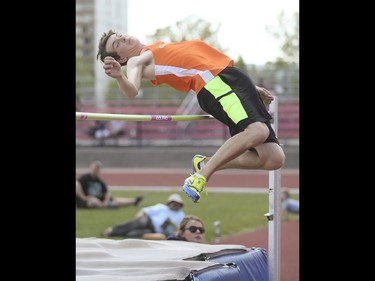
<point x="102" y="259"/>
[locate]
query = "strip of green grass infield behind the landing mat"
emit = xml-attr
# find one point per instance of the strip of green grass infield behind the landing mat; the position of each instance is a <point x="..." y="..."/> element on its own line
<point x="238" y="212"/>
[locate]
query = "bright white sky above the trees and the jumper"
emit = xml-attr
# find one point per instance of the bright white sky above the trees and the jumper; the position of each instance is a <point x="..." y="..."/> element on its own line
<point x="243" y="22"/>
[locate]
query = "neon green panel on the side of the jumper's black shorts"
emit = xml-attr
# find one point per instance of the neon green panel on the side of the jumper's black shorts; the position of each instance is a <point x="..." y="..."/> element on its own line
<point x="231" y="103"/>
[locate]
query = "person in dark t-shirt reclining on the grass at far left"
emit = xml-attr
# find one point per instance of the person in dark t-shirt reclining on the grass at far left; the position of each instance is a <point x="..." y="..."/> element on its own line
<point x="92" y="191"/>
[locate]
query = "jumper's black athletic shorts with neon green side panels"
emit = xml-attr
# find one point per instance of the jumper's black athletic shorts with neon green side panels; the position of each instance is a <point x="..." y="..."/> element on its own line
<point x="232" y="98"/>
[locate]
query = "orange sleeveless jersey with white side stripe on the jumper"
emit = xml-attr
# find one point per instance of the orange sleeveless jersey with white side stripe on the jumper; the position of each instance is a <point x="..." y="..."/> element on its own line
<point x="187" y="65"/>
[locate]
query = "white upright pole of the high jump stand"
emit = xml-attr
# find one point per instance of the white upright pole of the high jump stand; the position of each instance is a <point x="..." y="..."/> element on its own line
<point x="273" y="216"/>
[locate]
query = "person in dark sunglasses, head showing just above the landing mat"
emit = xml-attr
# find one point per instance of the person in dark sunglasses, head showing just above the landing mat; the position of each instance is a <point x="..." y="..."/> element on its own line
<point x="191" y="229"/>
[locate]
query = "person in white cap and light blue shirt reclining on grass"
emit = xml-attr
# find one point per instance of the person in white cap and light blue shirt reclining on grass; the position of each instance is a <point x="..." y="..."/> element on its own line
<point x="160" y="218"/>
